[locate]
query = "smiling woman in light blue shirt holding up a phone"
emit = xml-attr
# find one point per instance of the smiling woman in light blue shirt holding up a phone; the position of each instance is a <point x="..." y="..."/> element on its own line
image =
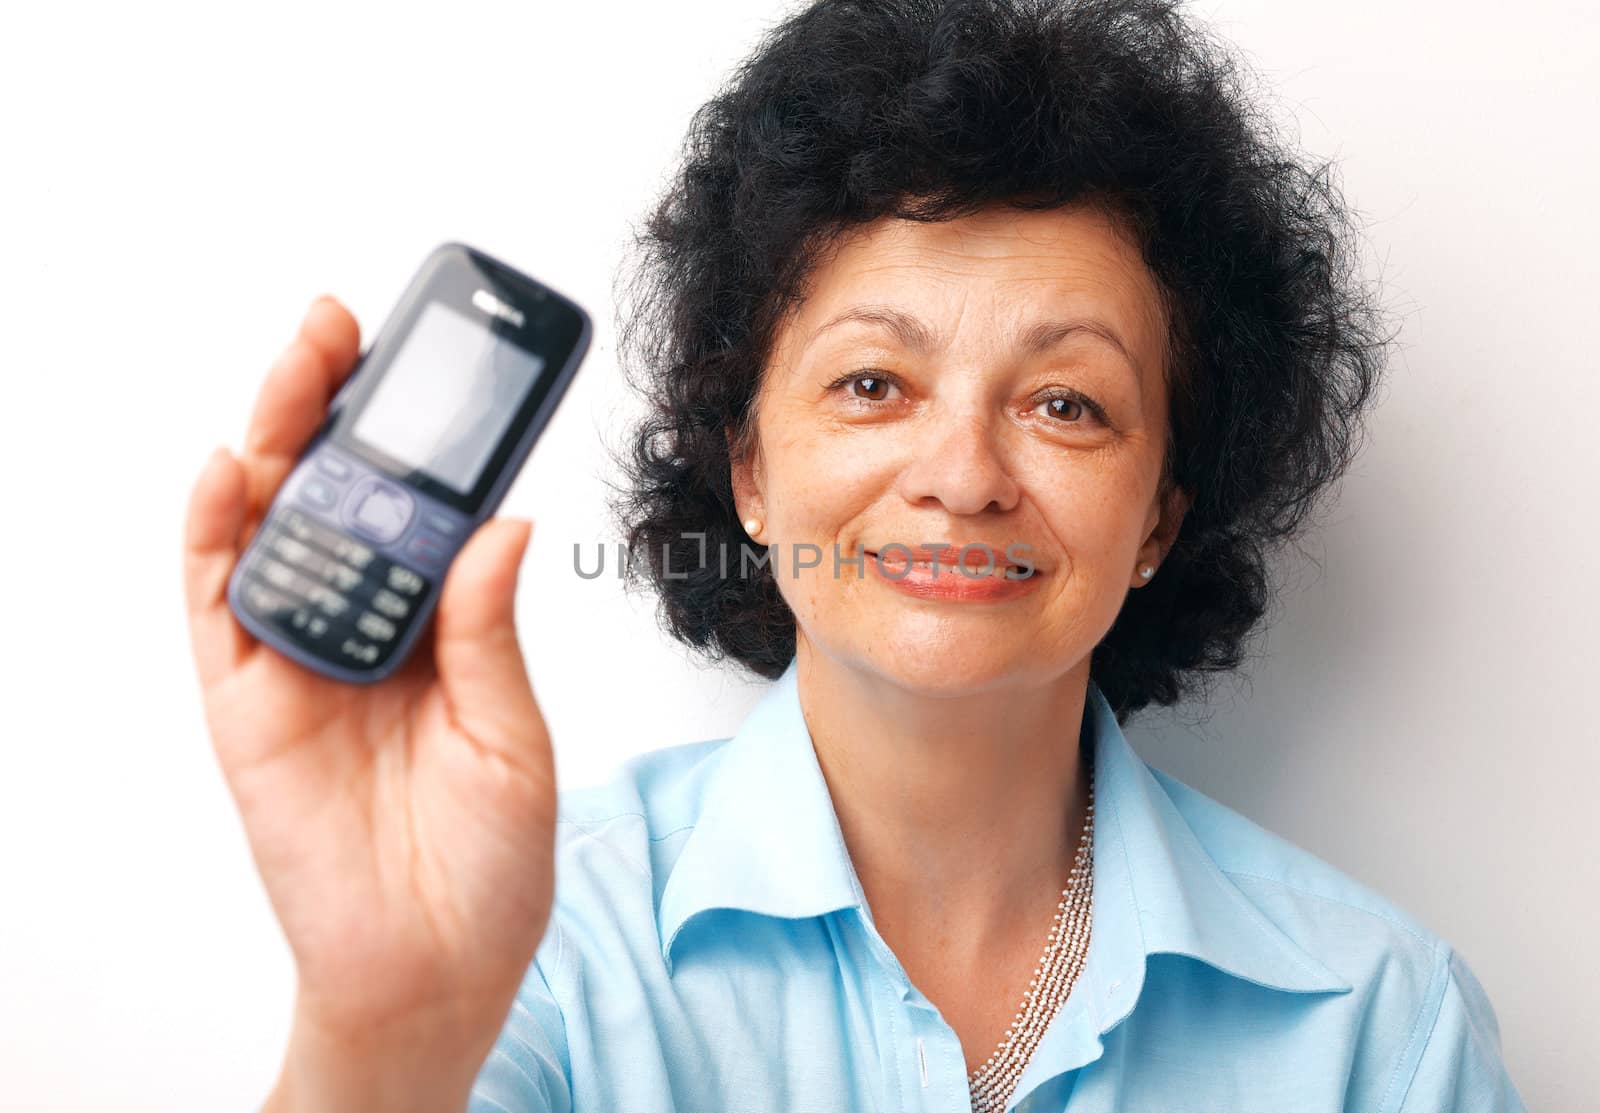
<point x="998" y="345"/>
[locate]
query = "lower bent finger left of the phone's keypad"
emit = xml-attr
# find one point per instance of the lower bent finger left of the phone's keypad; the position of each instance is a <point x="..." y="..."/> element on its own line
<point x="217" y="513"/>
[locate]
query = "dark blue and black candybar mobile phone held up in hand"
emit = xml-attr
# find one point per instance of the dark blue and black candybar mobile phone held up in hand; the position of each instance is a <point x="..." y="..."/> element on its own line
<point x="417" y="450"/>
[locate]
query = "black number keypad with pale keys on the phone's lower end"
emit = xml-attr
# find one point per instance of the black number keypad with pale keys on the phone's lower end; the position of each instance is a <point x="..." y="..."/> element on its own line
<point x="327" y="592"/>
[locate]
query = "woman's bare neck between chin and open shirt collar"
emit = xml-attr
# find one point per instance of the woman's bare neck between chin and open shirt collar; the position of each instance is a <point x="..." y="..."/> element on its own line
<point x="961" y="813"/>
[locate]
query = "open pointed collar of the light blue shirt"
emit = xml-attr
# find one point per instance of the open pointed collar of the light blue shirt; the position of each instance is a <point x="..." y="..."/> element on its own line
<point x="769" y="842"/>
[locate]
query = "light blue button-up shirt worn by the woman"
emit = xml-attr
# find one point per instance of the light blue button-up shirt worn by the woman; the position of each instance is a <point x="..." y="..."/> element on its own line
<point x="711" y="949"/>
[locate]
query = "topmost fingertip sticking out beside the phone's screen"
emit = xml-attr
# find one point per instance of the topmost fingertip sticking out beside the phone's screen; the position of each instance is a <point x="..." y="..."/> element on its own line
<point x="303" y="380"/>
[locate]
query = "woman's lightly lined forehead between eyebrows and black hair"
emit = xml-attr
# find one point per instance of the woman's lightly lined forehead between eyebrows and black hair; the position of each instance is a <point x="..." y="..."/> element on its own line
<point x="1017" y="265"/>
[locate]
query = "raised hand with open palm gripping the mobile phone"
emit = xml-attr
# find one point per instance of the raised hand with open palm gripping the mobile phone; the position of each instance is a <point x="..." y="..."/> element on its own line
<point x="404" y="829"/>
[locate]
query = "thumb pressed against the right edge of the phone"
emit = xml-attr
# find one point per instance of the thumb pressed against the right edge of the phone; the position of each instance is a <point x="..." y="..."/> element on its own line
<point x="476" y="650"/>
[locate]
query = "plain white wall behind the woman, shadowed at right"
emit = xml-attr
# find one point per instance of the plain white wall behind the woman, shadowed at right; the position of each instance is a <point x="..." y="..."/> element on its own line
<point x="183" y="180"/>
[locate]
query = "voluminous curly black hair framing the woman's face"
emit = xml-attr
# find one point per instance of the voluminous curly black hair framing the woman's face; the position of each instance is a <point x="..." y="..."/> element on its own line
<point x="850" y="111"/>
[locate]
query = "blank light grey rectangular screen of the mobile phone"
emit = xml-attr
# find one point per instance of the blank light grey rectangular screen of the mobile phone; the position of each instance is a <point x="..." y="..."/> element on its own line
<point x="449" y="397"/>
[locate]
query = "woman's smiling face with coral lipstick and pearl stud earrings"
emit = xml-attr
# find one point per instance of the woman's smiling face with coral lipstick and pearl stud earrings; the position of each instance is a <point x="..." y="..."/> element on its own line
<point x="991" y="381"/>
